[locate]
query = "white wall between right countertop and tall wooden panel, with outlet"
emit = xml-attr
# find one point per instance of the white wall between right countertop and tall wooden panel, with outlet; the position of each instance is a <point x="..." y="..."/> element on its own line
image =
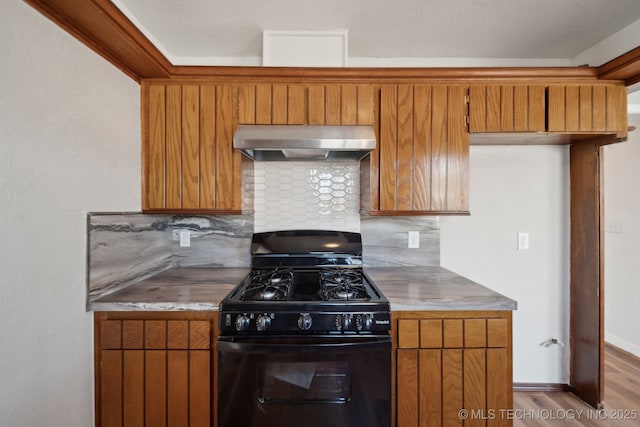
<point x="519" y="189"/>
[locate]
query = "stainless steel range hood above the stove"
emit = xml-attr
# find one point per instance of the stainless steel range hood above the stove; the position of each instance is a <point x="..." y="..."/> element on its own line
<point x="302" y="142"/>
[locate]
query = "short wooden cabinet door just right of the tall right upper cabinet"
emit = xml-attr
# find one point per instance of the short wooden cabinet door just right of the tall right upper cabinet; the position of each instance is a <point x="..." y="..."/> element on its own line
<point x="507" y="108"/>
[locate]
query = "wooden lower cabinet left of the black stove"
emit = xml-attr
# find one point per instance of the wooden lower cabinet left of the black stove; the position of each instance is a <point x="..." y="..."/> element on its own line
<point x="155" y="369"/>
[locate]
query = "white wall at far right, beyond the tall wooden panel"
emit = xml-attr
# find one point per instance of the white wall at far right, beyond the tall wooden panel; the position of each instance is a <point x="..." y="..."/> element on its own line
<point x="622" y="269"/>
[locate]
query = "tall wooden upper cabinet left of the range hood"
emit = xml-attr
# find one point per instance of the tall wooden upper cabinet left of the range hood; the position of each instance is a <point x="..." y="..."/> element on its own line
<point x="188" y="161"/>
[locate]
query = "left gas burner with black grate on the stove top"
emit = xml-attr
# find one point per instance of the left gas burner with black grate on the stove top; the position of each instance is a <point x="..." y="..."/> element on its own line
<point x="268" y="285"/>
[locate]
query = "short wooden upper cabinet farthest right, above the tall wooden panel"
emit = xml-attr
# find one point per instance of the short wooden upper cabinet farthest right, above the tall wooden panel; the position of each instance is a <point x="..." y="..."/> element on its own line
<point x="592" y="108"/>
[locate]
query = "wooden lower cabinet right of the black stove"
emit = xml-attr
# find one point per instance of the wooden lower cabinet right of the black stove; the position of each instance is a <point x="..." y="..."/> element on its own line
<point x="453" y="368"/>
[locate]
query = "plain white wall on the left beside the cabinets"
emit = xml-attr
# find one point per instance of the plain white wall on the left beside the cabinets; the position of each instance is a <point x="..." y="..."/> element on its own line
<point x="69" y="143"/>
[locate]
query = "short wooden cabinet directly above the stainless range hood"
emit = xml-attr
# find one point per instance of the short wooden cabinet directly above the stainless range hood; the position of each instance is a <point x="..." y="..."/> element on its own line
<point x="298" y="104"/>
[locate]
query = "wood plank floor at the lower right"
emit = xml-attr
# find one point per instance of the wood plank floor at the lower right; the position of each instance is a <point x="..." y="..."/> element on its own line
<point x="622" y="398"/>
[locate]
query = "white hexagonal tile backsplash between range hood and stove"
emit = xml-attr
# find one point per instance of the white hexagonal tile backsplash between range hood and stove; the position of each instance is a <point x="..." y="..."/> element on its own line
<point x="307" y="195"/>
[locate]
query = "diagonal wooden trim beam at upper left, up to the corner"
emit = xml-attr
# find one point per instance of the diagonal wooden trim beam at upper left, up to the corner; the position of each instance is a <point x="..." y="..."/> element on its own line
<point x="106" y="30"/>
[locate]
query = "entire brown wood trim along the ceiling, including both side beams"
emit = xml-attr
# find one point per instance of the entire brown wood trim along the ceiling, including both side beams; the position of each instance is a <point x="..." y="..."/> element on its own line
<point x="101" y="26"/>
